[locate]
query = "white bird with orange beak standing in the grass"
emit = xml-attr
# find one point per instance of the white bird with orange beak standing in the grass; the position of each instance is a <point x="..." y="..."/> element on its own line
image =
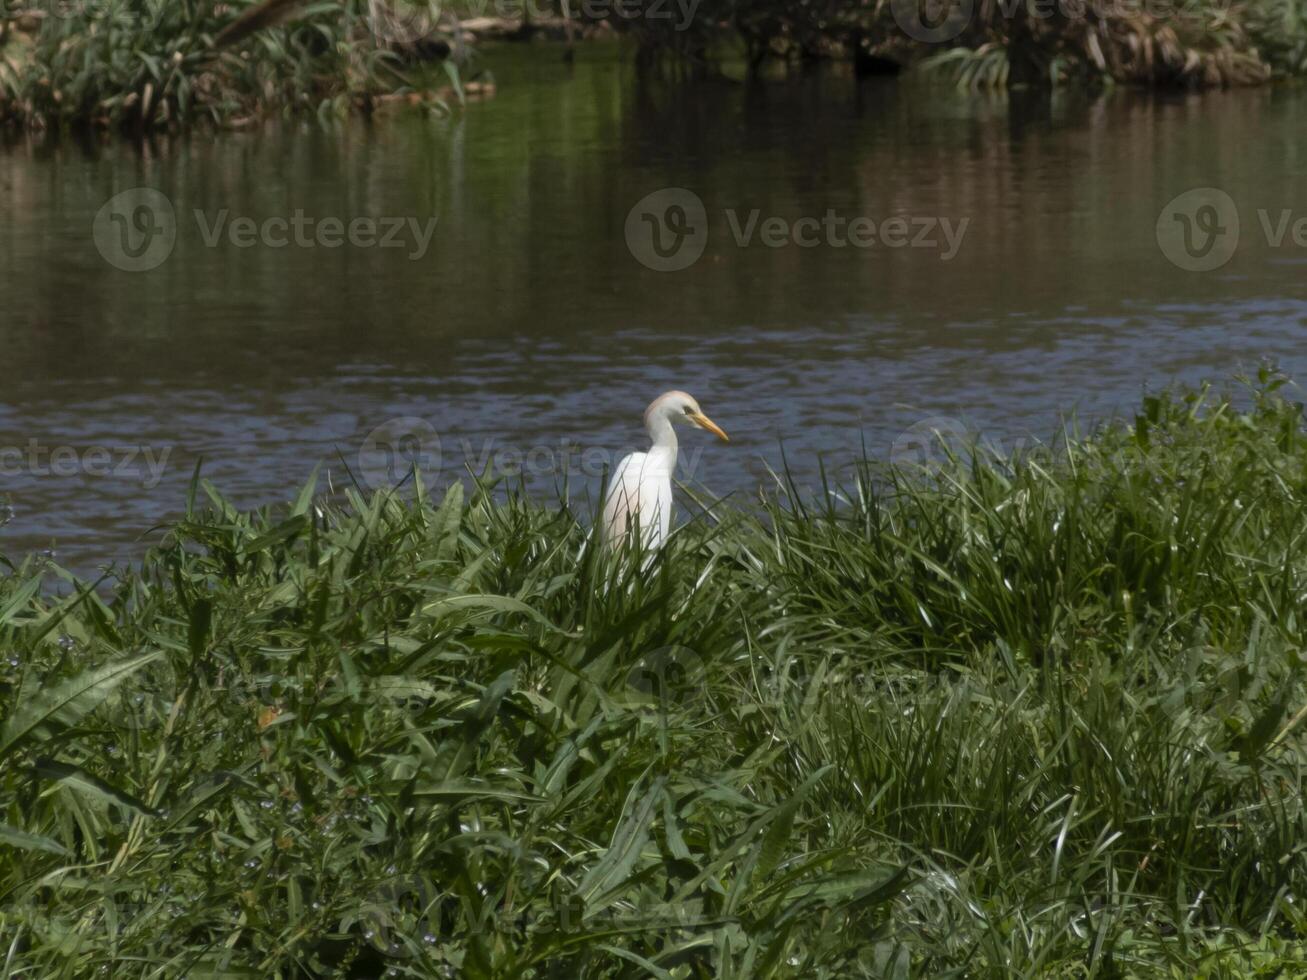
<point x="640" y="495"/>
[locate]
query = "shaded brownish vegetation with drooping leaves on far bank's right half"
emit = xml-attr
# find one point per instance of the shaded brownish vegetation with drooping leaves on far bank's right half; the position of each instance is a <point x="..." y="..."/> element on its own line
<point x="999" y="44"/>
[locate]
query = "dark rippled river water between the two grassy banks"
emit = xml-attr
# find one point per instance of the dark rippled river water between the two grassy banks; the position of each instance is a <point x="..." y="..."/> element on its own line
<point x="841" y="266"/>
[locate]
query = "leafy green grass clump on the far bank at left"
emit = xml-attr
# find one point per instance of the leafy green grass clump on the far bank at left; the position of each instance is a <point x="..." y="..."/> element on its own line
<point x="161" y="65"/>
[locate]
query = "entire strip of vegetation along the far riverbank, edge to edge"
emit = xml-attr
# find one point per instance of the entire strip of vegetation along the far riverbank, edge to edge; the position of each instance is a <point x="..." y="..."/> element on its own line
<point x="164" y="63"/>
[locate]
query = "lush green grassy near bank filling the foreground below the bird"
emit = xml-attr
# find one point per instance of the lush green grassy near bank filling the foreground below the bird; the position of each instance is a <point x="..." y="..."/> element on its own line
<point x="1010" y="718"/>
